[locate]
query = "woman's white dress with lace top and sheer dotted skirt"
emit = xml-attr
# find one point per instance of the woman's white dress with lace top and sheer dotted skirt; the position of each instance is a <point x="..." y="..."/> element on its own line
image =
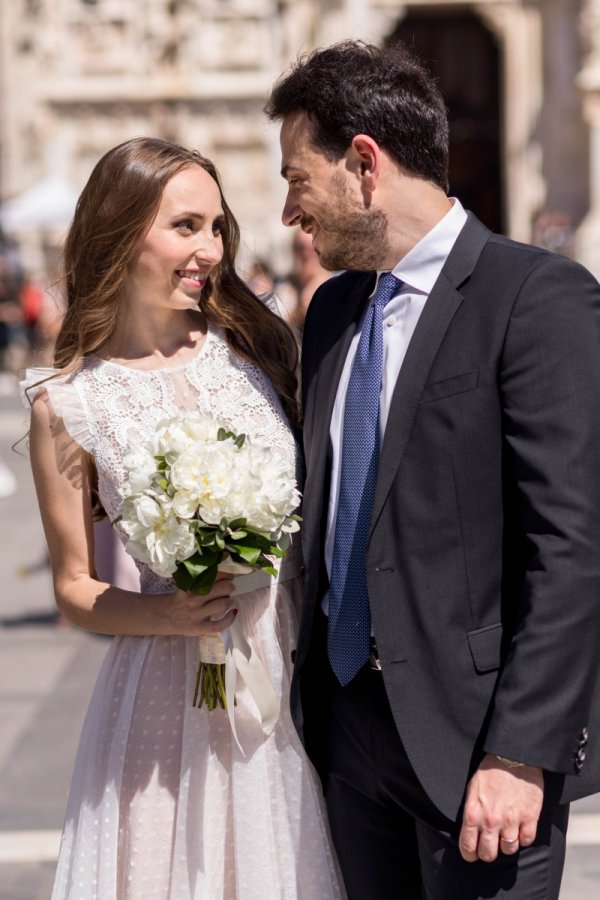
<point x="163" y="803"/>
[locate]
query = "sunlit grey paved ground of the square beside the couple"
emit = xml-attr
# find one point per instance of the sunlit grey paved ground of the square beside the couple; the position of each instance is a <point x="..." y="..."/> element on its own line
<point x="46" y="675"/>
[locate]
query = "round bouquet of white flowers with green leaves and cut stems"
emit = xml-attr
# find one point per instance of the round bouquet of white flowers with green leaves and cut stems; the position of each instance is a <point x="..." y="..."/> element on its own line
<point x="198" y="498"/>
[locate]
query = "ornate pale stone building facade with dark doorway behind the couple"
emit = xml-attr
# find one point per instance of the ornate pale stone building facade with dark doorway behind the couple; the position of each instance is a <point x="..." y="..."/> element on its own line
<point x="521" y="79"/>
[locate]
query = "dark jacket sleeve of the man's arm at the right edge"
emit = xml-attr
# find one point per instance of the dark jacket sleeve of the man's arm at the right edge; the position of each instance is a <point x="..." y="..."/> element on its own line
<point x="549" y="383"/>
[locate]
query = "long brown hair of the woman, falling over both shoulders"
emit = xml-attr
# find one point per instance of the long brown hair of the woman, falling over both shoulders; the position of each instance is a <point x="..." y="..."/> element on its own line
<point x="119" y="201"/>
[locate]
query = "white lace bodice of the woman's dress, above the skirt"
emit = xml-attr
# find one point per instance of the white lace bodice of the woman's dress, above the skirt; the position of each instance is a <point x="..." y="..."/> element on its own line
<point x="108" y="408"/>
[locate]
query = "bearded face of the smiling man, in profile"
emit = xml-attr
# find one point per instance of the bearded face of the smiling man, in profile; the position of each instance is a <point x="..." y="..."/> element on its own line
<point x="324" y="198"/>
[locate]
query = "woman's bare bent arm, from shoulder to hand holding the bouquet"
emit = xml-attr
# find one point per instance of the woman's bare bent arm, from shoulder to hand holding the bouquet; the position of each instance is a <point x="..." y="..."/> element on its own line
<point x="62" y="478"/>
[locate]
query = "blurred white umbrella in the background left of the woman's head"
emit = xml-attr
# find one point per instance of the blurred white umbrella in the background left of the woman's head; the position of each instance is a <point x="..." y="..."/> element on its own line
<point x="48" y="204"/>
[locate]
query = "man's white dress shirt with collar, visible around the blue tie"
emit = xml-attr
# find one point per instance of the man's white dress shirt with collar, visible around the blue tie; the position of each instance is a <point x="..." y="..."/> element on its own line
<point x="418" y="271"/>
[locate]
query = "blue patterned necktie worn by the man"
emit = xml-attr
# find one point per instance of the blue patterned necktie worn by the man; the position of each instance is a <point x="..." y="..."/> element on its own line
<point x="349" y="628"/>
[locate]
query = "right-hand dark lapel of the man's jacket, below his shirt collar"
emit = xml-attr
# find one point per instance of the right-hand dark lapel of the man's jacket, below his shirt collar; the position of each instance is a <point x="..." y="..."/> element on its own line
<point x="439" y="310"/>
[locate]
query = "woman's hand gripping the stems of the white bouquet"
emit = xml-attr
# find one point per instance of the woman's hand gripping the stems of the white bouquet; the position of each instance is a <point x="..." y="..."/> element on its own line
<point x="191" y="615"/>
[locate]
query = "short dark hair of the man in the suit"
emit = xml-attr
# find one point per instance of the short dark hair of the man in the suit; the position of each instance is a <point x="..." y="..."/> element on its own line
<point x="355" y="88"/>
